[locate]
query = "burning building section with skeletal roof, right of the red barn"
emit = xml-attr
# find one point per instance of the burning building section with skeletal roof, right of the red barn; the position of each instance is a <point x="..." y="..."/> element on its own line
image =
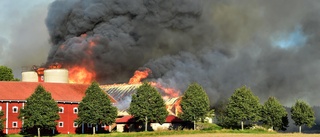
<point x="126" y="123"/>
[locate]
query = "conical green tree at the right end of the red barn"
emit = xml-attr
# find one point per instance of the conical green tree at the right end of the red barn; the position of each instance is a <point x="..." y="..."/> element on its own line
<point x="96" y="108"/>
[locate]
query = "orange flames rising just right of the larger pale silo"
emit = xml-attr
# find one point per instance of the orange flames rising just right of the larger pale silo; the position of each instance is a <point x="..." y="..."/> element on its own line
<point x="78" y="74"/>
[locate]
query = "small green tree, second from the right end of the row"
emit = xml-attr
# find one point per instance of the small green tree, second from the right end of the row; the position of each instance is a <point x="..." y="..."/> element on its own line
<point x="274" y="114"/>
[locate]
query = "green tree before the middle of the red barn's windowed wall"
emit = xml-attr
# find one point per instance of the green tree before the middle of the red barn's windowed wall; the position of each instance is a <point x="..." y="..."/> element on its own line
<point x="40" y="112"/>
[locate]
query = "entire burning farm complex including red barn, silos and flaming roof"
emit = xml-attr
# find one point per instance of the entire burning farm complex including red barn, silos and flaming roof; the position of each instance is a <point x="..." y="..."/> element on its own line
<point x="68" y="95"/>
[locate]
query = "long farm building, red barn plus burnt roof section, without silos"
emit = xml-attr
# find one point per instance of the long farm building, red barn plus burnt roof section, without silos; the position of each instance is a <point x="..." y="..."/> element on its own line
<point x="68" y="96"/>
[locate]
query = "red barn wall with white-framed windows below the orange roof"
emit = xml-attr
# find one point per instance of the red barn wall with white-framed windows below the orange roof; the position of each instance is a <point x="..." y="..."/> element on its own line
<point x="66" y="124"/>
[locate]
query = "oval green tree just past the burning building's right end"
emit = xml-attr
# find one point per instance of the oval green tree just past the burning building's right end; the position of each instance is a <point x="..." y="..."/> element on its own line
<point x="195" y="104"/>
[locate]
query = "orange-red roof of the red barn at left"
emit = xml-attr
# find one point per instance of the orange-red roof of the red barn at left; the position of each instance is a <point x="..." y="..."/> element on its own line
<point x="62" y="92"/>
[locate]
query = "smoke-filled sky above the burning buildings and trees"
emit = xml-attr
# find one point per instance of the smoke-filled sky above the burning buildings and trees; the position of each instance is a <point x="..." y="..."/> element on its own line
<point x="270" y="46"/>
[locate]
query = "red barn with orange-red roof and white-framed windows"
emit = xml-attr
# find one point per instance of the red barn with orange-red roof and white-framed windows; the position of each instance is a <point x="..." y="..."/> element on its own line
<point x="13" y="96"/>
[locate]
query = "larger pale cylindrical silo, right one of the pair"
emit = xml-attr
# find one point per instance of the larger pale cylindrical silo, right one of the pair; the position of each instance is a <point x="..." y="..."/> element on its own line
<point x="56" y="75"/>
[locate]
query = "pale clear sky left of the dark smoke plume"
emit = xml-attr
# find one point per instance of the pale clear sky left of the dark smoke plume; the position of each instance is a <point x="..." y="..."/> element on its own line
<point x="24" y="38"/>
